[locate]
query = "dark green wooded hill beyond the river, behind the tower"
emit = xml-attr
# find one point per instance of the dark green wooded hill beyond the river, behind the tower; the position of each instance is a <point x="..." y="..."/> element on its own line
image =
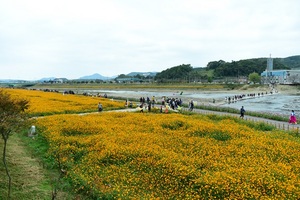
<point x="221" y="69"/>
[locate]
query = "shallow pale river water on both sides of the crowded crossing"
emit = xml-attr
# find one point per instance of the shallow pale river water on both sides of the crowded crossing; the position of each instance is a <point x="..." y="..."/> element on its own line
<point x="276" y="103"/>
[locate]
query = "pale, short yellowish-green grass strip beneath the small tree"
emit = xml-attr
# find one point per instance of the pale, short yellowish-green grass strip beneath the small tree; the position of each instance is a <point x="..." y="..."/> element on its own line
<point x="30" y="180"/>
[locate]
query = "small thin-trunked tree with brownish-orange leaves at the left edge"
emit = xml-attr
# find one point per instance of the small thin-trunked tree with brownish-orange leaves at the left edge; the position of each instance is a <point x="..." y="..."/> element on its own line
<point x="12" y="118"/>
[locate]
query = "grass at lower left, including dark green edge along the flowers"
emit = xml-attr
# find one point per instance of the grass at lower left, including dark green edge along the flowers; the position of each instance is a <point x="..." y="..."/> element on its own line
<point x="34" y="176"/>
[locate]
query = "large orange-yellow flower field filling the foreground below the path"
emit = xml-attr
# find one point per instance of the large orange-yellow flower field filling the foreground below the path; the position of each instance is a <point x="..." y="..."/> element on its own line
<point x="172" y="156"/>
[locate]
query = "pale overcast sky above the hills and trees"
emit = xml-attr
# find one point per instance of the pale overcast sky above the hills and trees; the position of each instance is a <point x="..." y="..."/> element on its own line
<point x="75" y="38"/>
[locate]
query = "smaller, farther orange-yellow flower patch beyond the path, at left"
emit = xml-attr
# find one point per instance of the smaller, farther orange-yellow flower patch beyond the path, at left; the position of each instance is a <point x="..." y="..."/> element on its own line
<point x="45" y="103"/>
